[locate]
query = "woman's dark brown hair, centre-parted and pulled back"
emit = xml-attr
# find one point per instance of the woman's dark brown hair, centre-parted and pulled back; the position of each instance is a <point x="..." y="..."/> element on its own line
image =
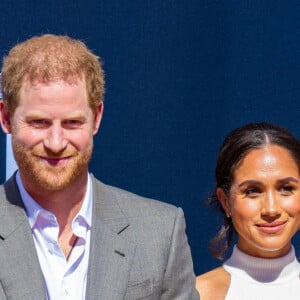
<point x="236" y="145"/>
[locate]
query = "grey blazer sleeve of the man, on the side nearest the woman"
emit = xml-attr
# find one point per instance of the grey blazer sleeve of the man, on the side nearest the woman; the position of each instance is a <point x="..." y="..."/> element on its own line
<point x="179" y="280"/>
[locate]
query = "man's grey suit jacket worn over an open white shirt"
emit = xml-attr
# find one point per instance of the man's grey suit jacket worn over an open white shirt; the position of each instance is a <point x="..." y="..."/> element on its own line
<point x="139" y="249"/>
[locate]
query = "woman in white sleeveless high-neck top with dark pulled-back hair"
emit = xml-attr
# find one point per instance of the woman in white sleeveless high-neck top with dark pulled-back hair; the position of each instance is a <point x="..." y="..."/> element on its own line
<point x="258" y="192"/>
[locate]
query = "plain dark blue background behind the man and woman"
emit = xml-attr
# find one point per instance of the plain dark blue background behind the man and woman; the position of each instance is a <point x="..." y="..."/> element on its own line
<point x="180" y="75"/>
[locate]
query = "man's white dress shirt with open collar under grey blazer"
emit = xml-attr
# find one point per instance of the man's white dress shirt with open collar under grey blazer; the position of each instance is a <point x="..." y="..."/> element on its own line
<point x="64" y="279"/>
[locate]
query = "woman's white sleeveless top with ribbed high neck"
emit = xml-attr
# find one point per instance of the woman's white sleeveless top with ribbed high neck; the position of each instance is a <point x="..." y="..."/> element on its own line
<point x="262" y="279"/>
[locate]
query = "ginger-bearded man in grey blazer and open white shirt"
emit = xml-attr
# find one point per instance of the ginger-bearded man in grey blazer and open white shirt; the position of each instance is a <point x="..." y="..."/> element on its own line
<point x="63" y="233"/>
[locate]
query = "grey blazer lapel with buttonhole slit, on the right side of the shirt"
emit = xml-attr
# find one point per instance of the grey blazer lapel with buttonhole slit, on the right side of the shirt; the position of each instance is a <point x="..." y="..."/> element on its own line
<point x="112" y="248"/>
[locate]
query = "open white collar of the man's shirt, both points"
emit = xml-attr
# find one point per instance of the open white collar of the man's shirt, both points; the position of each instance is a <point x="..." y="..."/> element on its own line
<point x="33" y="209"/>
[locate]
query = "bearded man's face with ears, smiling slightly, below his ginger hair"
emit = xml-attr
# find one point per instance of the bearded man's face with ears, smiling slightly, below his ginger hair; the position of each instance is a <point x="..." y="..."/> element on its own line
<point x="52" y="133"/>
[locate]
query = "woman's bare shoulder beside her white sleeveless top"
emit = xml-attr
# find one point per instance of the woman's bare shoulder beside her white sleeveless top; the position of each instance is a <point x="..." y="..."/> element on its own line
<point x="213" y="284"/>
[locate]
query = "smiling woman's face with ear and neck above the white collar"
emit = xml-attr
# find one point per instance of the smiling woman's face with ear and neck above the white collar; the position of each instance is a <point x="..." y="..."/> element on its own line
<point x="264" y="201"/>
